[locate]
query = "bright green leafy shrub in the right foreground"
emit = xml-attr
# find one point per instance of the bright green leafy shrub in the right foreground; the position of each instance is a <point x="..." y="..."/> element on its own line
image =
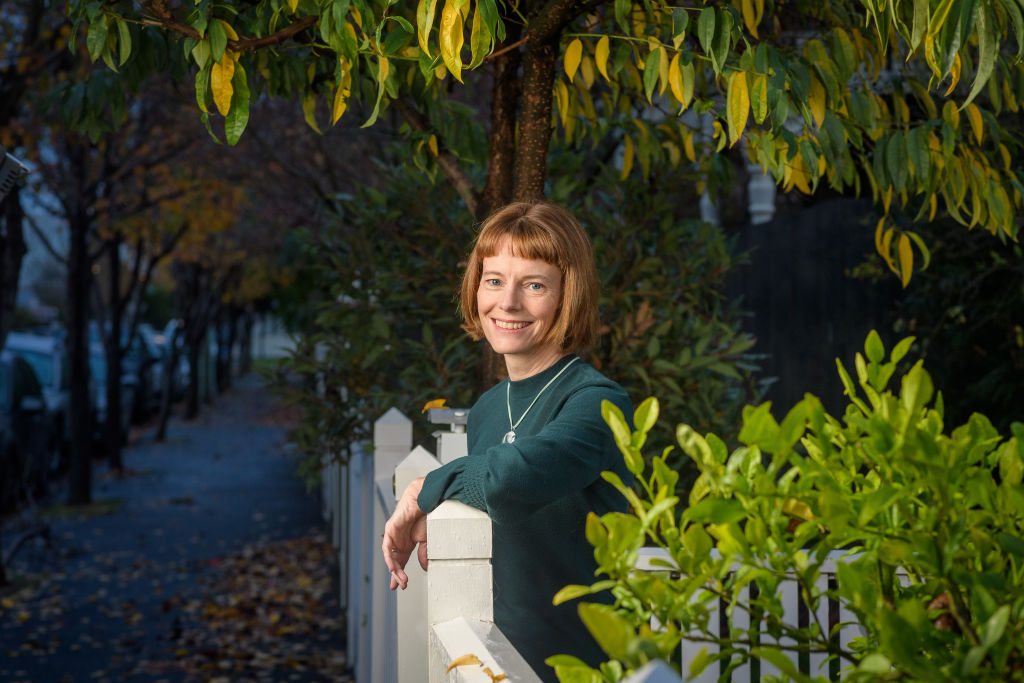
<point x="885" y="488"/>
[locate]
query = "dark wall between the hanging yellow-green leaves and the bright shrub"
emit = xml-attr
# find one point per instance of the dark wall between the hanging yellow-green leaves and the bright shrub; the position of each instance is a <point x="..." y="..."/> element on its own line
<point x="806" y="310"/>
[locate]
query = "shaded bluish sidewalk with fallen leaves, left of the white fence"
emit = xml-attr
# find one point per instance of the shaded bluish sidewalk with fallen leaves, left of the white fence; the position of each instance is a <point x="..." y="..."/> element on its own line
<point x="210" y="564"/>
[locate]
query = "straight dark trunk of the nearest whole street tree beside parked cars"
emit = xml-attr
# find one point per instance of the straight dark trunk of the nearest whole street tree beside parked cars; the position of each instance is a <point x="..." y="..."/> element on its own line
<point x="80" y="474"/>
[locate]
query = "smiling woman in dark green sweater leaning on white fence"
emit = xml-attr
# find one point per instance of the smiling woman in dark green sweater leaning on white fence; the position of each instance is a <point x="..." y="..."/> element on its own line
<point x="537" y="442"/>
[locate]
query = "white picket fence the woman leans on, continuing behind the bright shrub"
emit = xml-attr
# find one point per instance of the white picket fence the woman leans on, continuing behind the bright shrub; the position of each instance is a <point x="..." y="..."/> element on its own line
<point x="413" y="636"/>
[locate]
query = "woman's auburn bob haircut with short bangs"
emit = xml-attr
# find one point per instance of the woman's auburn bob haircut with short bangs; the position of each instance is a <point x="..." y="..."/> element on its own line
<point x="547" y="233"/>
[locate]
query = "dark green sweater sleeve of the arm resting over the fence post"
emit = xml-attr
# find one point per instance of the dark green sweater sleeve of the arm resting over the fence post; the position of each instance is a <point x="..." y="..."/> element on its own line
<point x="510" y="482"/>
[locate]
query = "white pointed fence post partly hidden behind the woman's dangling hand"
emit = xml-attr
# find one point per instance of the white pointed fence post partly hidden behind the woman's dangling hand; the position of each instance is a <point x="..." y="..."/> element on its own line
<point x="412" y="614"/>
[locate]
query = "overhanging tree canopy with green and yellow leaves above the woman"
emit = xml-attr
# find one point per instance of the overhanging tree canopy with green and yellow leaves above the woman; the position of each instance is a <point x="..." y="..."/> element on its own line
<point x="906" y="100"/>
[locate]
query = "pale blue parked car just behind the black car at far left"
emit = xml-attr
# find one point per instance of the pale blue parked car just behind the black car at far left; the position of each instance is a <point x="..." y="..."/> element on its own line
<point x="49" y="358"/>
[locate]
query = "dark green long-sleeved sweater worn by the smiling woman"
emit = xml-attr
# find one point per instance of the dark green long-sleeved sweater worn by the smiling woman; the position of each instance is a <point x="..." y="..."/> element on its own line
<point x="538" y="492"/>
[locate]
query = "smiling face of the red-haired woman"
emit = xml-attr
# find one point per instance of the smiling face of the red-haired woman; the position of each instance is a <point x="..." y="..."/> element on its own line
<point x="518" y="302"/>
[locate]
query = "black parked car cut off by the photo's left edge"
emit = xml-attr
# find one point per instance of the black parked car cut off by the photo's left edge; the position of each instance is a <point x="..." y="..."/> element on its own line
<point x="26" y="432"/>
